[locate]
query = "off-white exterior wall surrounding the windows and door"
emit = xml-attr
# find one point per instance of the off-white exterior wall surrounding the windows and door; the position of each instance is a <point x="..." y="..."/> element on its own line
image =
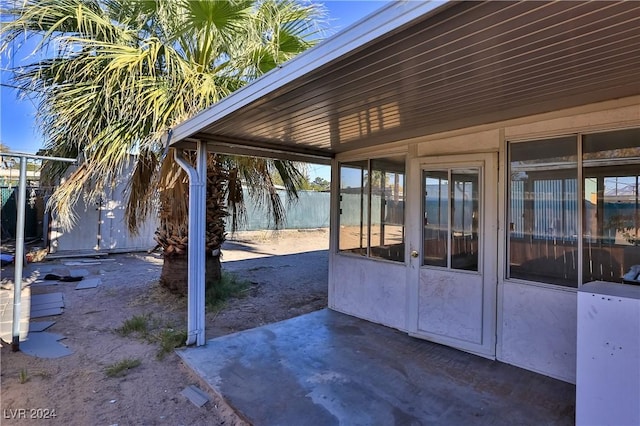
<point x="536" y="323"/>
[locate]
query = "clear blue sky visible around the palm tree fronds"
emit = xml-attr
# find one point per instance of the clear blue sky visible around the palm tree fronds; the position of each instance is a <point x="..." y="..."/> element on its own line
<point x="17" y="124"/>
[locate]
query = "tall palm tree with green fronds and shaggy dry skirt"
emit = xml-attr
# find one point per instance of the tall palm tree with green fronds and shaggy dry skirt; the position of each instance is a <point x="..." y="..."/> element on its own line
<point x="112" y="76"/>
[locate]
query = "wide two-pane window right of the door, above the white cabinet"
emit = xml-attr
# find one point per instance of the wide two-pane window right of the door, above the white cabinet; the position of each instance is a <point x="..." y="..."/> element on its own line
<point x="546" y="242"/>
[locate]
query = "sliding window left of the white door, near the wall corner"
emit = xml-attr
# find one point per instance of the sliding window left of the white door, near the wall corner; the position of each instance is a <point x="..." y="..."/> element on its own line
<point x="372" y="208"/>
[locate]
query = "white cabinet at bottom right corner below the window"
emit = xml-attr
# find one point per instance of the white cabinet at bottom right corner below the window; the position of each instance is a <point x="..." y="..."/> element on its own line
<point x="608" y="355"/>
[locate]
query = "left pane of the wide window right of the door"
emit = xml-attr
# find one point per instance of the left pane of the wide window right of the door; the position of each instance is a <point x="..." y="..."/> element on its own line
<point x="543" y="213"/>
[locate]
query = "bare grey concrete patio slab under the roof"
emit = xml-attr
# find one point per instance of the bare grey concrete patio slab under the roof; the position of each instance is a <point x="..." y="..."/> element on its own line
<point x="327" y="368"/>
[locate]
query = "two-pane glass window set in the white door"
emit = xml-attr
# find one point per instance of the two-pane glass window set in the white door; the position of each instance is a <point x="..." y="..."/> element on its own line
<point x="451" y="218"/>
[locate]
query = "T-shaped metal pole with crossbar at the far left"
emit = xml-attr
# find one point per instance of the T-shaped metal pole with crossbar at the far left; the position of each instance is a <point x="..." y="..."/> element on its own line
<point x="19" y="254"/>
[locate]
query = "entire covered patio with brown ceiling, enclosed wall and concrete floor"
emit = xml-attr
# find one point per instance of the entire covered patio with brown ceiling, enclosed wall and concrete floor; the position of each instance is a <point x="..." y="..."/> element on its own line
<point x="433" y="96"/>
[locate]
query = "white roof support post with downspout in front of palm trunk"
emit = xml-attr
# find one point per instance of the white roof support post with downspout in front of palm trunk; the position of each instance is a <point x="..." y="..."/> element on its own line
<point x="196" y="251"/>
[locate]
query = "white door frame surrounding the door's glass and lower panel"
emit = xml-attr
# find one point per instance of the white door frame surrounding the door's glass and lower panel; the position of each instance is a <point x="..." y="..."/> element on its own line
<point x="488" y="162"/>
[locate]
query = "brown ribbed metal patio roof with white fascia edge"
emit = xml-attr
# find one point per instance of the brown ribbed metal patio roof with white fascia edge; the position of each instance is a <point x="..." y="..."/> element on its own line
<point x="418" y="68"/>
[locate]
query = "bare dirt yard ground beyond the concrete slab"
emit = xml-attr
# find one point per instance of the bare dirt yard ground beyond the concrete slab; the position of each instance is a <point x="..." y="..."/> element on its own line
<point x="77" y="389"/>
